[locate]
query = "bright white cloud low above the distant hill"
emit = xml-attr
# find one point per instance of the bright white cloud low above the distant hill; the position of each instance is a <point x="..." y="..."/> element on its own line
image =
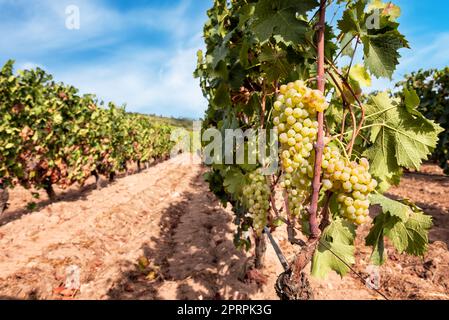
<point x="134" y="79"/>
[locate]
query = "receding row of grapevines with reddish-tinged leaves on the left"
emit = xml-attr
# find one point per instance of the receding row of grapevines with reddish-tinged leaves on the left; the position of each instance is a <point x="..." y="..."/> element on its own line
<point x="51" y="135"/>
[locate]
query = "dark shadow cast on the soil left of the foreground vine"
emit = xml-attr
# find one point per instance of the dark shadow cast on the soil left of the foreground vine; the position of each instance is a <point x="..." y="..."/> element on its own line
<point x="192" y="248"/>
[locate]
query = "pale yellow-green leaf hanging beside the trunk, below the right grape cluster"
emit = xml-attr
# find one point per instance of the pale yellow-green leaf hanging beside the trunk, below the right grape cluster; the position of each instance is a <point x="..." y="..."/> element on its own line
<point x="339" y="238"/>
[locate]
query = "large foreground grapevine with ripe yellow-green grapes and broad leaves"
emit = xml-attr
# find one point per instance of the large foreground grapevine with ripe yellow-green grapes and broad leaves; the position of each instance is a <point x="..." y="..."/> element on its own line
<point x="277" y="65"/>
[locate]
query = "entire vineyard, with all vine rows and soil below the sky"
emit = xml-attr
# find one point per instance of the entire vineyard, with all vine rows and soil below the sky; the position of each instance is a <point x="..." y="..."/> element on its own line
<point x="302" y="182"/>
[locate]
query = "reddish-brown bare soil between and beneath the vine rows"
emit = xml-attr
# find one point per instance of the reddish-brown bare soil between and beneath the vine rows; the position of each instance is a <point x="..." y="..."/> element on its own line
<point x="160" y="234"/>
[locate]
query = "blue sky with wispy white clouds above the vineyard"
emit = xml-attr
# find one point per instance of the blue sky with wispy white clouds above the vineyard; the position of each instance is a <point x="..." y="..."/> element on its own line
<point x="143" y="53"/>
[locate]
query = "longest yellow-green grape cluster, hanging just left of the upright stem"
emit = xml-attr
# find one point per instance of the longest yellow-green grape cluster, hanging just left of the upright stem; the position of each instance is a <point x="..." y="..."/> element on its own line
<point x="295" y="114"/>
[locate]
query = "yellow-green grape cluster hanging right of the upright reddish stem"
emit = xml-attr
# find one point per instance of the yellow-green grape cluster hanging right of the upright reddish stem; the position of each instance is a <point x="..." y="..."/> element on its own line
<point x="352" y="183"/>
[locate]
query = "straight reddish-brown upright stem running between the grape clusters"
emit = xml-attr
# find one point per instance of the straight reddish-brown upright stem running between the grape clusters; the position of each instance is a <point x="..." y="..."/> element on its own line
<point x="319" y="146"/>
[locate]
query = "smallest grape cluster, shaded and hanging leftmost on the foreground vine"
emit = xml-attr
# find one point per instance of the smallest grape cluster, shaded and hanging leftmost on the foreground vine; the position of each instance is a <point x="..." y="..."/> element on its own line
<point x="257" y="198"/>
